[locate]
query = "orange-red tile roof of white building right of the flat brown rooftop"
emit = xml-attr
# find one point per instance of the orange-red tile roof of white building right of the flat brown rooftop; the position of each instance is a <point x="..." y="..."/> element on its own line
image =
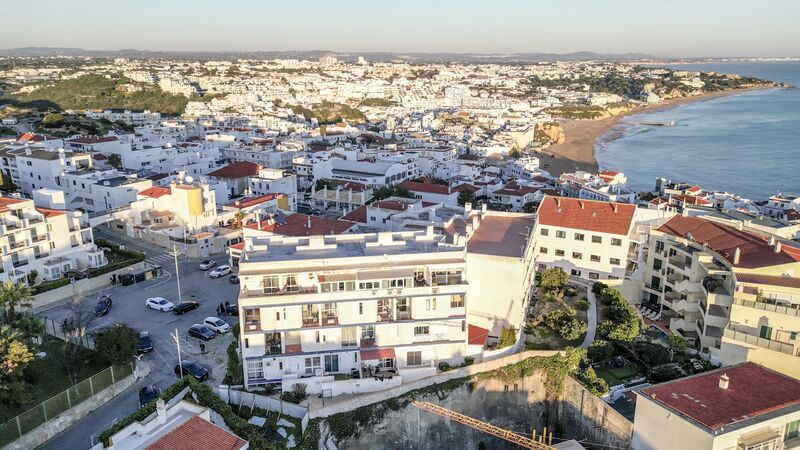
<point x="589" y="215"/>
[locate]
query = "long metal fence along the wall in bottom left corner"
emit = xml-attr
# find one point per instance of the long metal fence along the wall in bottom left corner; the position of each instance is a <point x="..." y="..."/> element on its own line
<point x="52" y="407"/>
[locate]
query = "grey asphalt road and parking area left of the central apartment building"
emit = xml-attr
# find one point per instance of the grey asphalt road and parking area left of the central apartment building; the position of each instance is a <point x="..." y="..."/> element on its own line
<point x="128" y="307"/>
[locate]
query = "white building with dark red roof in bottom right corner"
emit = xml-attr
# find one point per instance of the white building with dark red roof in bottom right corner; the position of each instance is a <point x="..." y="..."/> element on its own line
<point x="742" y="407"/>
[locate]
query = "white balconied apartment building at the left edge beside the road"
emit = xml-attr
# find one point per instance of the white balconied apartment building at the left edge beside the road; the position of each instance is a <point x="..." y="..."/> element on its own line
<point x="46" y="240"/>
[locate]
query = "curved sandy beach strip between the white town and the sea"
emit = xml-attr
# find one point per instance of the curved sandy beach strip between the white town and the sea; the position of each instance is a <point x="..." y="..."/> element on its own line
<point x="580" y="136"/>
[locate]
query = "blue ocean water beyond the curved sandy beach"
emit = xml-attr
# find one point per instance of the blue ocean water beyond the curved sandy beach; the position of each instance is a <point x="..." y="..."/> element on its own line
<point x="747" y="144"/>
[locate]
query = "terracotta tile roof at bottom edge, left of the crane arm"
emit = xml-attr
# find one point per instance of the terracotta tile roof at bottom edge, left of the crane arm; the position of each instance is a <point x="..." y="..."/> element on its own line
<point x="198" y="434"/>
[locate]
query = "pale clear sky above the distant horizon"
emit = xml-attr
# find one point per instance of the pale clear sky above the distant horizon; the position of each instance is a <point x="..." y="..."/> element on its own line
<point x="669" y="28"/>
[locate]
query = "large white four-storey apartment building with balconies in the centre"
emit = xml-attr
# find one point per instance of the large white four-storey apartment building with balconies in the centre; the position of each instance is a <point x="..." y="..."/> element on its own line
<point x="315" y="306"/>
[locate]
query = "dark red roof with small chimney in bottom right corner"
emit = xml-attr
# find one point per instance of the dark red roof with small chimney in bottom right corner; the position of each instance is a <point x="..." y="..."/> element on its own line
<point x="752" y="392"/>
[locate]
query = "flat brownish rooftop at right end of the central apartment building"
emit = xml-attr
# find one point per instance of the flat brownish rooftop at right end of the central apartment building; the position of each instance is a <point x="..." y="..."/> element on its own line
<point x="502" y="235"/>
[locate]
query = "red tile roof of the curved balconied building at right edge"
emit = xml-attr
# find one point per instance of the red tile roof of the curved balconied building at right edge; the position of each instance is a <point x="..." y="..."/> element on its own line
<point x="754" y="249"/>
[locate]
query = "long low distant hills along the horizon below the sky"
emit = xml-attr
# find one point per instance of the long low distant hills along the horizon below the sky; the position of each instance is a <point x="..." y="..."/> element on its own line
<point x="346" y="56"/>
